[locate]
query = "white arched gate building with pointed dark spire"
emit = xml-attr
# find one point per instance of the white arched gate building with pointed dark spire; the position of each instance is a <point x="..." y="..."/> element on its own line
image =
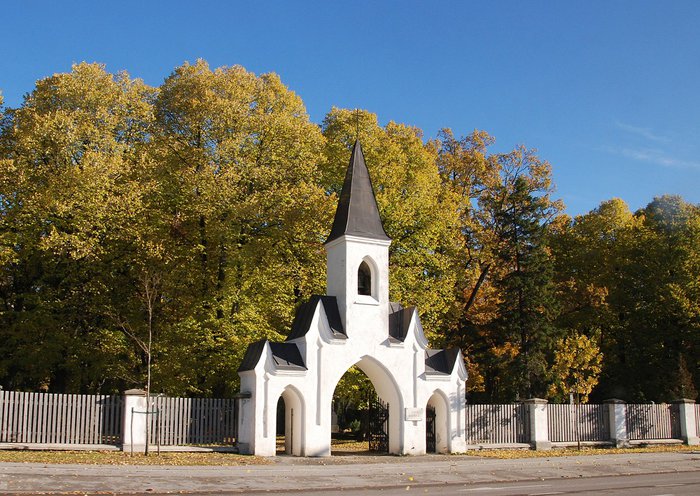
<point x="354" y="324"/>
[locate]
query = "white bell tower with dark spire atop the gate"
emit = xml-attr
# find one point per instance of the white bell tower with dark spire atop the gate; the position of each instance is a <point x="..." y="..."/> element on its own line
<point x="358" y="255"/>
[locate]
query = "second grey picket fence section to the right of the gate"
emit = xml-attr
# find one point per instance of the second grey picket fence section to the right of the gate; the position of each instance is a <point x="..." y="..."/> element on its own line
<point x="571" y="423"/>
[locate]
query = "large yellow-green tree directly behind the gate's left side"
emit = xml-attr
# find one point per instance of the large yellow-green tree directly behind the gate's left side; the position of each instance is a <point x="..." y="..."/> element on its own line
<point x="240" y="213"/>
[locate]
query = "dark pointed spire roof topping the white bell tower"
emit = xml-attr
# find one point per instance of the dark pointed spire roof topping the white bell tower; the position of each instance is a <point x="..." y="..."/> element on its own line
<point x="357" y="213"/>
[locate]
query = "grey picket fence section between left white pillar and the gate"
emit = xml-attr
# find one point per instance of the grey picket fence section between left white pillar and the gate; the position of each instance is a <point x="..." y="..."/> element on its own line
<point x="183" y="421"/>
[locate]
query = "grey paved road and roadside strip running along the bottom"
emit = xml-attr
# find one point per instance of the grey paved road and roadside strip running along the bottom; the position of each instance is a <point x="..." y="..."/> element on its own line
<point x="639" y="474"/>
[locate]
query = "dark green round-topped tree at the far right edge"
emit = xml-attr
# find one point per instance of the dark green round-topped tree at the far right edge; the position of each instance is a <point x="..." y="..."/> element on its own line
<point x="661" y="293"/>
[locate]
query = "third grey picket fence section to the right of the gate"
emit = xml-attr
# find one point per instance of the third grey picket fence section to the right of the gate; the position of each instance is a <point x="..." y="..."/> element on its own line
<point x="653" y="422"/>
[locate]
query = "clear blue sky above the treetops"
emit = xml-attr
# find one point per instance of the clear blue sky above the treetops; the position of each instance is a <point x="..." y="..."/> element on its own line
<point x="607" y="91"/>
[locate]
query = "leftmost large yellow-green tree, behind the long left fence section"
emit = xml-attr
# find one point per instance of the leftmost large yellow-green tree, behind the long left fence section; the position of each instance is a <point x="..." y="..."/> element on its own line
<point x="71" y="209"/>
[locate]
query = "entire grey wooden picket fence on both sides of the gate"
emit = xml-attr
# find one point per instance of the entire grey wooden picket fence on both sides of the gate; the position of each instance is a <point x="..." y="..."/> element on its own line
<point x="73" y="419"/>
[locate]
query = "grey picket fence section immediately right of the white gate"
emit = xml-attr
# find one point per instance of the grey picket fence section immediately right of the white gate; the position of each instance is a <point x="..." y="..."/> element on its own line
<point x="497" y="424"/>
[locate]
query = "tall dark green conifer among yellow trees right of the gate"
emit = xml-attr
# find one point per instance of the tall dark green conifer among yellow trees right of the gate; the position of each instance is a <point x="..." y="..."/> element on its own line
<point x="527" y="307"/>
